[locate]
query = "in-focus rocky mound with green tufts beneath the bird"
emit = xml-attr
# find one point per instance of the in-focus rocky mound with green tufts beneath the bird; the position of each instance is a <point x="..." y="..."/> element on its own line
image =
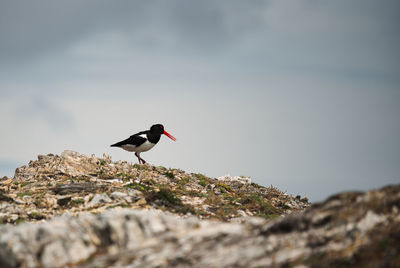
<point x="73" y="183"/>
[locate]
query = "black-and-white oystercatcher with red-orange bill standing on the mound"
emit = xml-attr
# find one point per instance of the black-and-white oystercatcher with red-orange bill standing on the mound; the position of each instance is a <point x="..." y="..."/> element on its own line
<point x="143" y="141"/>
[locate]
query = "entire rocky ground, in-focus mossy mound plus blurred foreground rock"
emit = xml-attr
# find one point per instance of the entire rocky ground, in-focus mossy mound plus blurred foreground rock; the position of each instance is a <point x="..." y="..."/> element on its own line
<point x="149" y="225"/>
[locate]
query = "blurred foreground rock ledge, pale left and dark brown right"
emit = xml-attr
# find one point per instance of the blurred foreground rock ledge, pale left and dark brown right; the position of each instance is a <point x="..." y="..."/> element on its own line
<point x="347" y="230"/>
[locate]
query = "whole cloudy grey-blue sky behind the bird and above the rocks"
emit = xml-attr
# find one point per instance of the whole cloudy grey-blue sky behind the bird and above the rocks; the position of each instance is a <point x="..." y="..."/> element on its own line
<point x="302" y="95"/>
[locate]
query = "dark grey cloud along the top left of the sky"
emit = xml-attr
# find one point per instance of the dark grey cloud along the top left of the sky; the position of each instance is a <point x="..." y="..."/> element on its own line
<point x="29" y="29"/>
